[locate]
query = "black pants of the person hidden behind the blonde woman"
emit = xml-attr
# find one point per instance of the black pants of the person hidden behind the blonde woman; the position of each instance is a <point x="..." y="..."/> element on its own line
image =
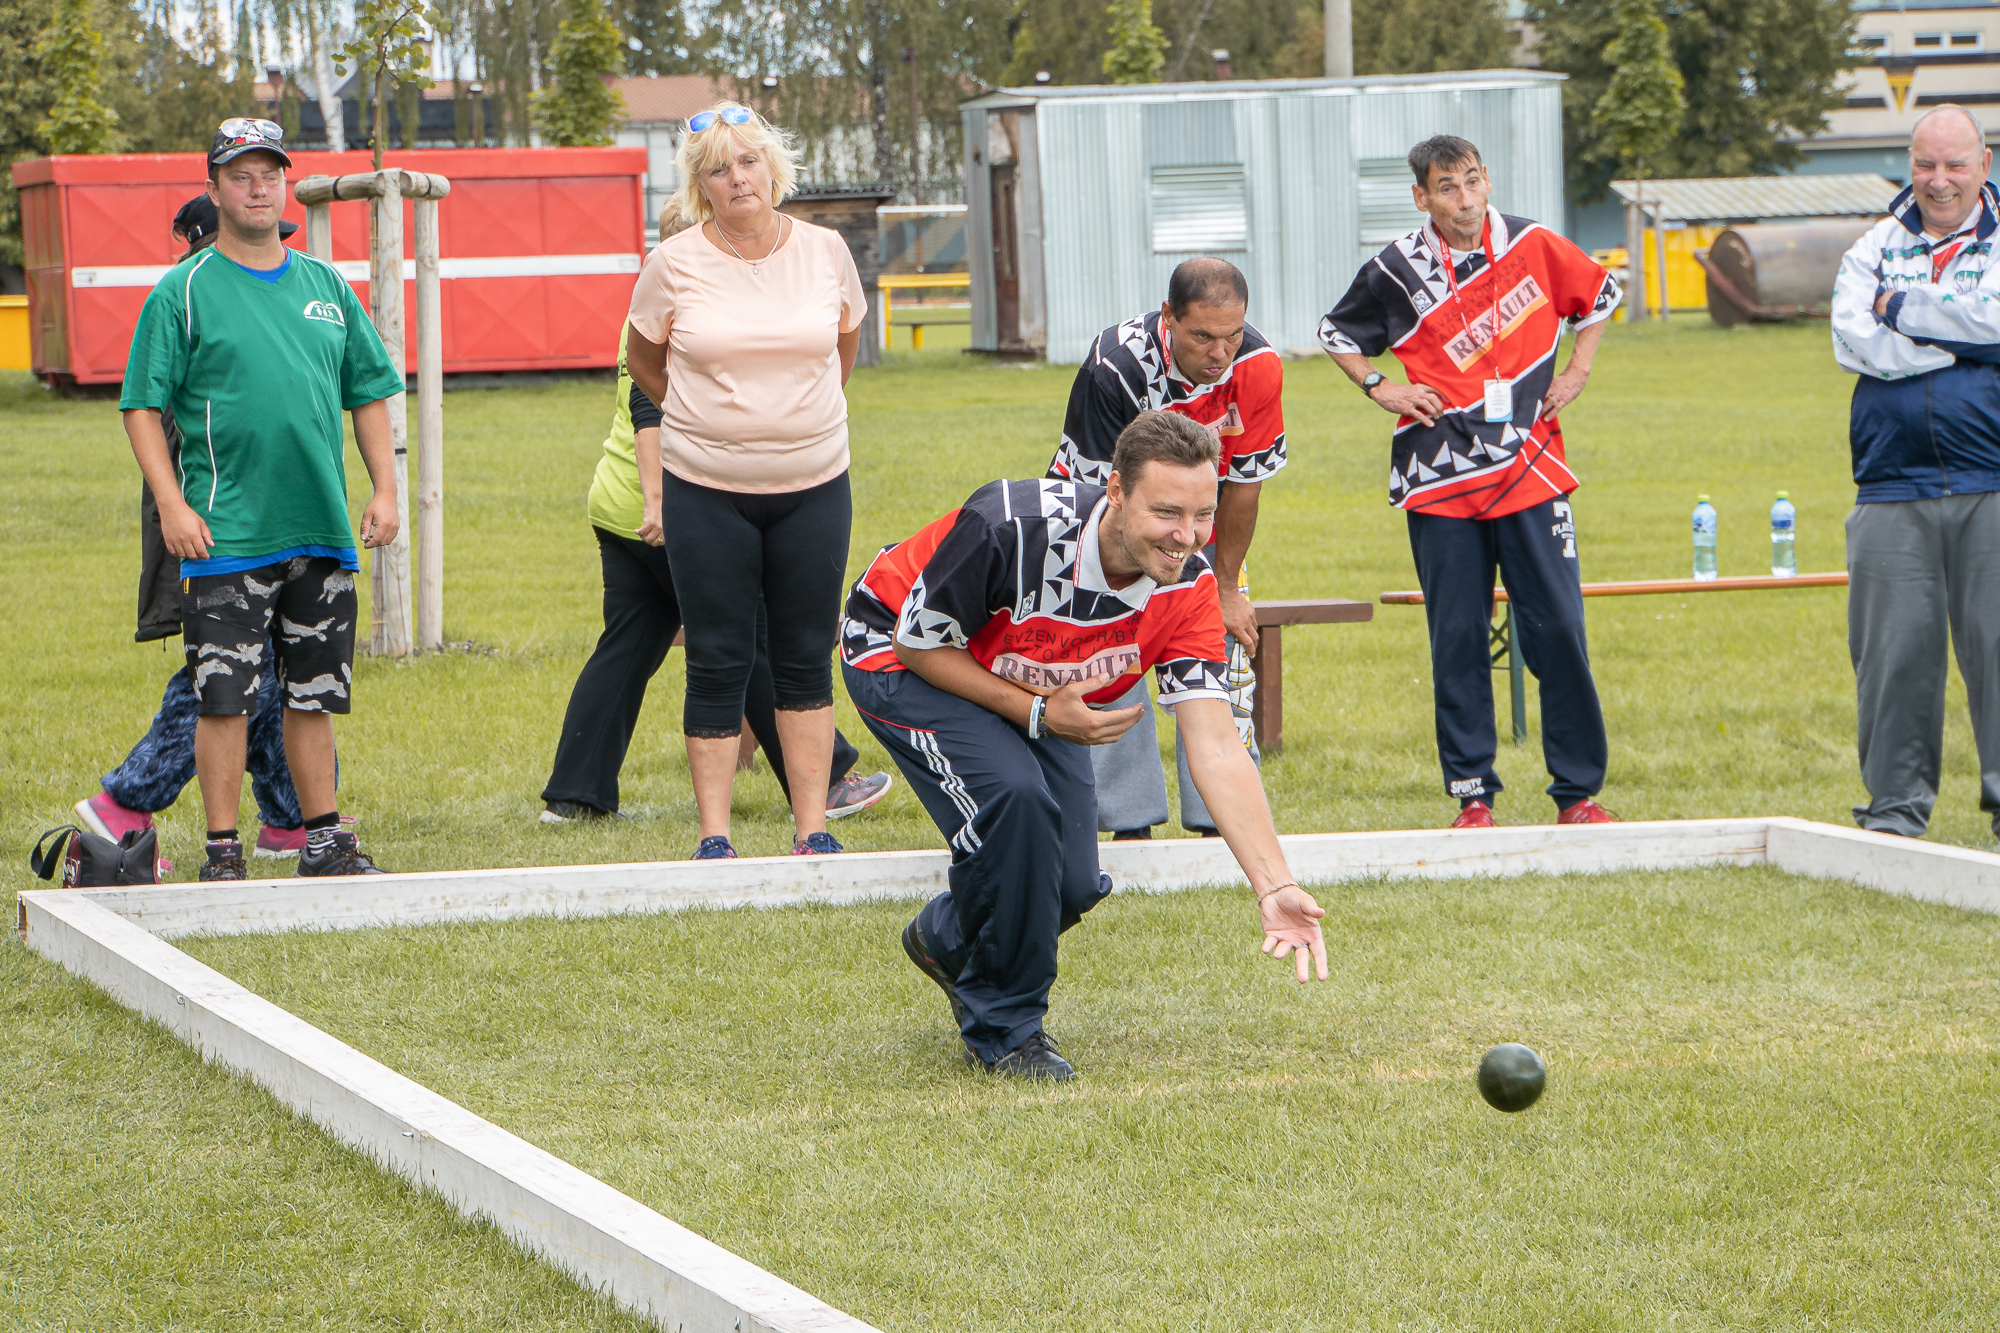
<point x="641" y="619"/>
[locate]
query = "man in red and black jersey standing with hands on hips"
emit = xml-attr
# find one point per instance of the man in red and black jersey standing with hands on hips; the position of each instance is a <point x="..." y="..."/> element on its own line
<point x="1475" y="305"/>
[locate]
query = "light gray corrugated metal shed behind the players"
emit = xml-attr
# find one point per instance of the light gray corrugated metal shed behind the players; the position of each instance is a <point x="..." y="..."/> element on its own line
<point x="1083" y="201"/>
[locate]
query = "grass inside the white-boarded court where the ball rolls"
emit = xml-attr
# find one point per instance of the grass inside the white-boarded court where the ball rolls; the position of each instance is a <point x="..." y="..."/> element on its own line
<point x="1771" y="1104"/>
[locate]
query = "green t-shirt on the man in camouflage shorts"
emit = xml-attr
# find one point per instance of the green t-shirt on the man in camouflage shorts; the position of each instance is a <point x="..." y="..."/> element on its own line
<point x="259" y="375"/>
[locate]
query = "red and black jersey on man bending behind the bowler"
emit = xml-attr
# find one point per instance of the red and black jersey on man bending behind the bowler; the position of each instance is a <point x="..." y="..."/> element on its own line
<point x="1133" y="371"/>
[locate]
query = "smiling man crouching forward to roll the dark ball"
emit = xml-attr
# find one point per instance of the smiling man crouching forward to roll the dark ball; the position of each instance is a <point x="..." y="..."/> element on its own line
<point x="983" y="653"/>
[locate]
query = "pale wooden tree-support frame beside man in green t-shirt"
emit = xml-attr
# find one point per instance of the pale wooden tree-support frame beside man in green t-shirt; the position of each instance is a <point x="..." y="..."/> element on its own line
<point x="391" y="629"/>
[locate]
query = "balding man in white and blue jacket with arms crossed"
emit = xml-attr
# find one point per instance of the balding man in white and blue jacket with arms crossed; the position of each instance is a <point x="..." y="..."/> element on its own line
<point x="1917" y="315"/>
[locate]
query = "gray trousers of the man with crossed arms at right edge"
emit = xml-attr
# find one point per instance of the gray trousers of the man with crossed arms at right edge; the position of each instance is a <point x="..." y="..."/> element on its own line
<point x="1923" y="575"/>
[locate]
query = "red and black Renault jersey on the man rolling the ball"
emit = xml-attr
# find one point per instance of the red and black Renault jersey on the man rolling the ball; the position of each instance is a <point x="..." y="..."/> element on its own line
<point x="1015" y="577"/>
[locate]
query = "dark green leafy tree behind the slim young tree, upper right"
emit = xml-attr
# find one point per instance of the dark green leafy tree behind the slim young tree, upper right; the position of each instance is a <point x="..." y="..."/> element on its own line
<point x="1759" y="75"/>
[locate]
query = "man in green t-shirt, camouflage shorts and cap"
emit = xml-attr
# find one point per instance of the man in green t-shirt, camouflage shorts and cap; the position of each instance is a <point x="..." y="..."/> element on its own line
<point x="259" y="351"/>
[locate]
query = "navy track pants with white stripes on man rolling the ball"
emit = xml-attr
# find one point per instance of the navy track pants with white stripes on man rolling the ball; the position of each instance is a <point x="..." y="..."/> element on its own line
<point x="1023" y="824"/>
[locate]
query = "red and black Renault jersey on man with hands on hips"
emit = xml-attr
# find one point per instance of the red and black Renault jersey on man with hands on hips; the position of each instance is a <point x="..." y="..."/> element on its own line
<point x="1443" y="331"/>
